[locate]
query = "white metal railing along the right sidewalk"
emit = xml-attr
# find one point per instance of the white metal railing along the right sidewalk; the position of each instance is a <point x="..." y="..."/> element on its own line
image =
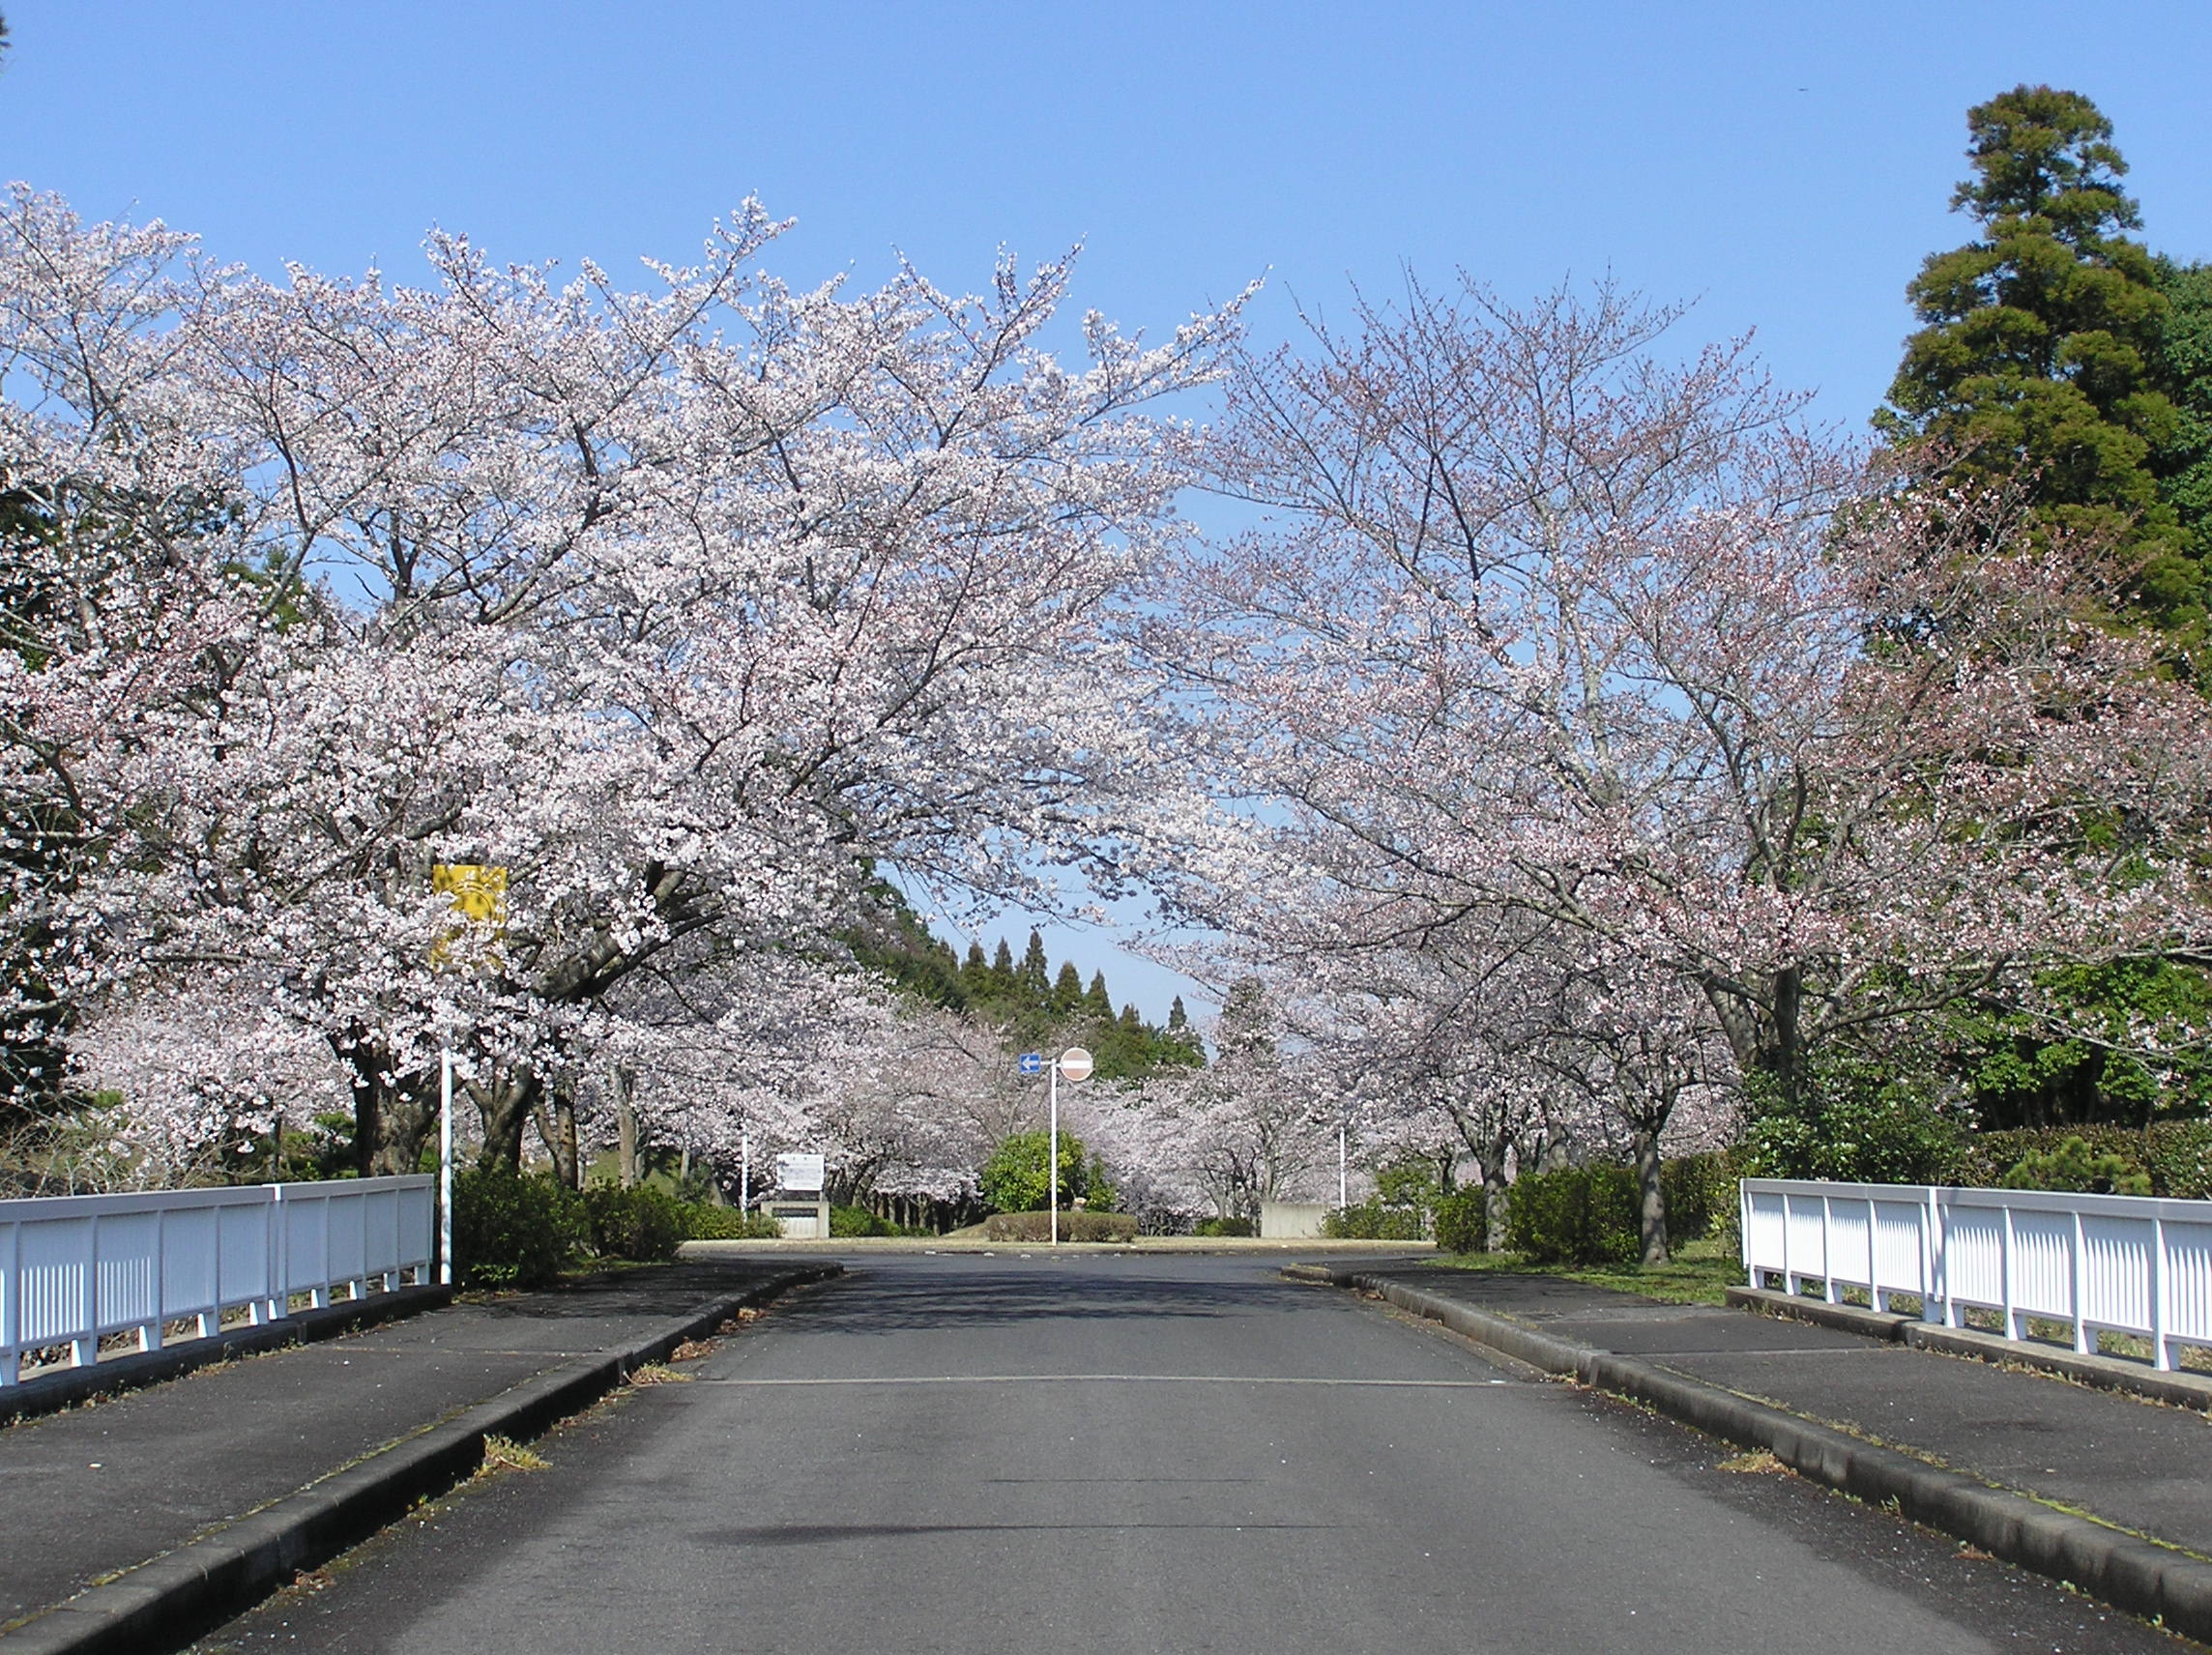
<point x="2098" y="1262"/>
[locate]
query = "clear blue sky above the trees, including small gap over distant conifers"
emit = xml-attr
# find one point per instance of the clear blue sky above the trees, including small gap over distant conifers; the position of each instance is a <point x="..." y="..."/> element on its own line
<point x="1782" y="165"/>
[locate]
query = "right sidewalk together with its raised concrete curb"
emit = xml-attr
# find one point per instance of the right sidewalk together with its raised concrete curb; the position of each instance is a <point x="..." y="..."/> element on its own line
<point x="1952" y="1441"/>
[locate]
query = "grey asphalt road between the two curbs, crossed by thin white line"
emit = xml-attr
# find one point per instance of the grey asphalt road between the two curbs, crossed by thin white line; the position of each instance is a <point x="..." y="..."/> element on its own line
<point x="1147" y="1455"/>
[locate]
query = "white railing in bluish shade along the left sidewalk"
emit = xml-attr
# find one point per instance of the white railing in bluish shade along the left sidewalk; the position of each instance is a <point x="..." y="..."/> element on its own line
<point x="76" y="1269"/>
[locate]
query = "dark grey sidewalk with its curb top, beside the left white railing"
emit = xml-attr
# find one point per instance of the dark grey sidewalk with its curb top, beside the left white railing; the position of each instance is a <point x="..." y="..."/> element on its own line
<point x="98" y="1490"/>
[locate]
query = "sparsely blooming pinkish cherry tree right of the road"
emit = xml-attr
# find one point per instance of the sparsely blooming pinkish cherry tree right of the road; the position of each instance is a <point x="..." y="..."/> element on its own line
<point x="1547" y="629"/>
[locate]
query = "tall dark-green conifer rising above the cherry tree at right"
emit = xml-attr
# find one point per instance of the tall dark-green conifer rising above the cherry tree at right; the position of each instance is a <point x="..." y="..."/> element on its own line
<point x="2043" y="346"/>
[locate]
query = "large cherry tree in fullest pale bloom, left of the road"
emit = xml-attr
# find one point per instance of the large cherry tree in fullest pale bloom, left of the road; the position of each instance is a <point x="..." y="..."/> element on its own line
<point x="685" y="607"/>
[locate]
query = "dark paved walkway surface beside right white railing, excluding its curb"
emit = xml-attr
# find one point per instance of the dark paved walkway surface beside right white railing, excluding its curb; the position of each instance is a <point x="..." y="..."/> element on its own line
<point x="2140" y="1466"/>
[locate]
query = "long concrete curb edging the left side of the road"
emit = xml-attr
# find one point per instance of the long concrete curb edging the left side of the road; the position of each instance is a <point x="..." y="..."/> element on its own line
<point x="171" y="1601"/>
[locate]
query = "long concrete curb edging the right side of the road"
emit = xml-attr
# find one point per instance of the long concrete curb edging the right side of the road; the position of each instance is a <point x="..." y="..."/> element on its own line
<point x="2129" y="1572"/>
